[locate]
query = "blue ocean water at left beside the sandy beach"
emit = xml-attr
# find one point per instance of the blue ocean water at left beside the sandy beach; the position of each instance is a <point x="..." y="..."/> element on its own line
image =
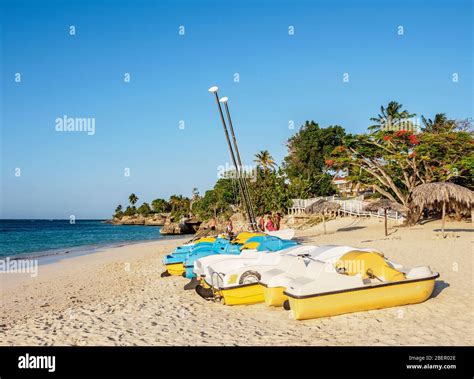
<point x="50" y="237"/>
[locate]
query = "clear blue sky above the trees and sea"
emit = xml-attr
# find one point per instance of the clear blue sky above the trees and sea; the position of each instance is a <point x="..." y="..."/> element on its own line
<point x="282" y="77"/>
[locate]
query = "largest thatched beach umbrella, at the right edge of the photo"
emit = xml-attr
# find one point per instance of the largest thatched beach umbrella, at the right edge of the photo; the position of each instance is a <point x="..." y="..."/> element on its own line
<point x="448" y="196"/>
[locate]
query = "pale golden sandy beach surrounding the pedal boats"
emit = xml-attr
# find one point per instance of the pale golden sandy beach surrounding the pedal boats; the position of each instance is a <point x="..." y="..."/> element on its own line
<point x="116" y="297"/>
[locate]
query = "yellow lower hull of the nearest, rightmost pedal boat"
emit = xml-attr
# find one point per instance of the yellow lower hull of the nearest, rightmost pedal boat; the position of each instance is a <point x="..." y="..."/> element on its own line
<point x="356" y="300"/>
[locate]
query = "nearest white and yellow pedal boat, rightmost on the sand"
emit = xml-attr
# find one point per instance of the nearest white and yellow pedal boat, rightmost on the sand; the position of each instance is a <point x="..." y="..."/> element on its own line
<point x="358" y="281"/>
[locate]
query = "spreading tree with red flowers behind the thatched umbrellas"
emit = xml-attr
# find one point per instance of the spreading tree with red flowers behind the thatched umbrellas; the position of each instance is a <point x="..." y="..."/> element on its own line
<point x="394" y="163"/>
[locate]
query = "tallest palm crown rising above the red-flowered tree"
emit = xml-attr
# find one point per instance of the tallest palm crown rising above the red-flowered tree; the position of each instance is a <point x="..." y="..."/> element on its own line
<point x="392" y="118"/>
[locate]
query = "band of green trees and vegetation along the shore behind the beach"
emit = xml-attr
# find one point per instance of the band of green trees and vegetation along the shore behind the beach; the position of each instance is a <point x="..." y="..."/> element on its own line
<point x="392" y="158"/>
